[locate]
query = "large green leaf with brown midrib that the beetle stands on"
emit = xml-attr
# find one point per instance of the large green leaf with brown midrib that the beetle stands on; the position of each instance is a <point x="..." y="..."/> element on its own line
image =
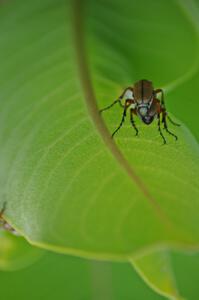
<point x="68" y="186"/>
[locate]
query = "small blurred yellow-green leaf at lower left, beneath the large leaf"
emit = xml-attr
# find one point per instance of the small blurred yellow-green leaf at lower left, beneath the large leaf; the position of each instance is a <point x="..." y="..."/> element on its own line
<point x="16" y="253"/>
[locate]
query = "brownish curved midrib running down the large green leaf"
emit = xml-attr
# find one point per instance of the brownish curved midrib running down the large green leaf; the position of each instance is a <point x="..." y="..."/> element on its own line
<point x="90" y="99"/>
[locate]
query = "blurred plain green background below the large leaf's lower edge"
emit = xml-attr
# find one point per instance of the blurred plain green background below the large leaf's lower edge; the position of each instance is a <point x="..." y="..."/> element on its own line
<point x="57" y="276"/>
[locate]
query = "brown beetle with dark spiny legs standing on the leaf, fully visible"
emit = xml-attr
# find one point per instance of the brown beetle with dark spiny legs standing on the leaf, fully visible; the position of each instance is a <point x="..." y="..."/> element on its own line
<point x="143" y="102"/>
